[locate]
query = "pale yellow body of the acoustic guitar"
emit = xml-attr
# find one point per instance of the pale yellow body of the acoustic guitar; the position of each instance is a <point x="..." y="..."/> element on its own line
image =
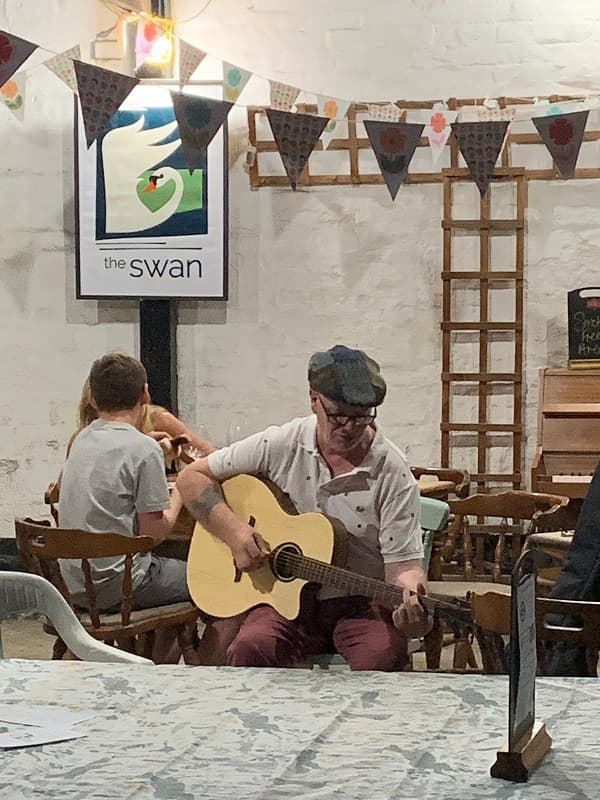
<point x="219" y="589"/>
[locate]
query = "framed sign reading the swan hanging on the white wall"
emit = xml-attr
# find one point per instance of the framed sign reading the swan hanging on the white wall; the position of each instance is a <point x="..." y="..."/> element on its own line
<point x="147" y="226"/>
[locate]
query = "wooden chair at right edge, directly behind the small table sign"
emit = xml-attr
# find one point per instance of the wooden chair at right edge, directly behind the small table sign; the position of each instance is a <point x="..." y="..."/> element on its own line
<point x="491" y="612"/>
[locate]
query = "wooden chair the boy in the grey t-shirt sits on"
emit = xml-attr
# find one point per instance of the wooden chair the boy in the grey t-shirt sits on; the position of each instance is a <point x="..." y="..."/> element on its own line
<point x="41" y="547"/>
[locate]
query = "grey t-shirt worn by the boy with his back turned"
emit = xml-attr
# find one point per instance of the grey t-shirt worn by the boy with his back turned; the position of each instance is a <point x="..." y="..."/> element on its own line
<point x="113" y="472"/>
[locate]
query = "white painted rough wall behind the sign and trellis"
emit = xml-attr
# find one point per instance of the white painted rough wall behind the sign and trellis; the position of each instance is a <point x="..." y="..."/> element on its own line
<point x="309" y="269"/>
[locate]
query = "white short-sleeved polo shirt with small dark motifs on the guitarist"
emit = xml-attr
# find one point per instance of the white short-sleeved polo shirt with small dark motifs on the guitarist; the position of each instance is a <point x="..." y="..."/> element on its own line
<point x="378" y="502"/>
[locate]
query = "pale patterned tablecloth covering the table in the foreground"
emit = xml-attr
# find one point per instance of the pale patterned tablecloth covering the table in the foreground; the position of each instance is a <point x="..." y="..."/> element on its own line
<point x="182" y="733"/>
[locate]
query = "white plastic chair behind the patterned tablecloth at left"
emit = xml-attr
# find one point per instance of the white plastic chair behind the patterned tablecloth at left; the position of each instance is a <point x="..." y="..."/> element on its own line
<point x="24" y="593"/>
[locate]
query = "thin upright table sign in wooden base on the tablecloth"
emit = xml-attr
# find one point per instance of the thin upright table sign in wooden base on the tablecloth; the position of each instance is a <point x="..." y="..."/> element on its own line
<point x="528" y="741"/>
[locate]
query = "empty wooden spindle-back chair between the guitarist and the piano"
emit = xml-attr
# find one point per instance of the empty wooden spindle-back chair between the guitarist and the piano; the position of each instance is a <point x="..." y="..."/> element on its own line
<point x="540" y="511"/>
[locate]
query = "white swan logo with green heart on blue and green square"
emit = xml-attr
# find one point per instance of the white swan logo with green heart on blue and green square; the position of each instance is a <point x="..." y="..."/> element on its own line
<point x="143" y="187"/>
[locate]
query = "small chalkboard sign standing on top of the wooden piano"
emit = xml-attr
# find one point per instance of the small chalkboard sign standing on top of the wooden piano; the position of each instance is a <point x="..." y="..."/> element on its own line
<point x="584" y="327"/>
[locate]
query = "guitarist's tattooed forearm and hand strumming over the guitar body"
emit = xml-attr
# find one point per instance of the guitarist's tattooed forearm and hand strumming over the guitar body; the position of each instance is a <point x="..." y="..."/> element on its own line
<point x="203" y="498"/>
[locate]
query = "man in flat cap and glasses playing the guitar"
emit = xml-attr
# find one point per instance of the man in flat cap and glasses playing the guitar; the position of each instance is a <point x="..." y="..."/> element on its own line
<point x="335" y="461"/>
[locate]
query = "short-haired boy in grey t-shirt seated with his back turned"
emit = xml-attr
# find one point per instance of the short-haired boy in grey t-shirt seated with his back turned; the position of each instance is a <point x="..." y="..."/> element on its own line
<point x="114" y="482"/>
